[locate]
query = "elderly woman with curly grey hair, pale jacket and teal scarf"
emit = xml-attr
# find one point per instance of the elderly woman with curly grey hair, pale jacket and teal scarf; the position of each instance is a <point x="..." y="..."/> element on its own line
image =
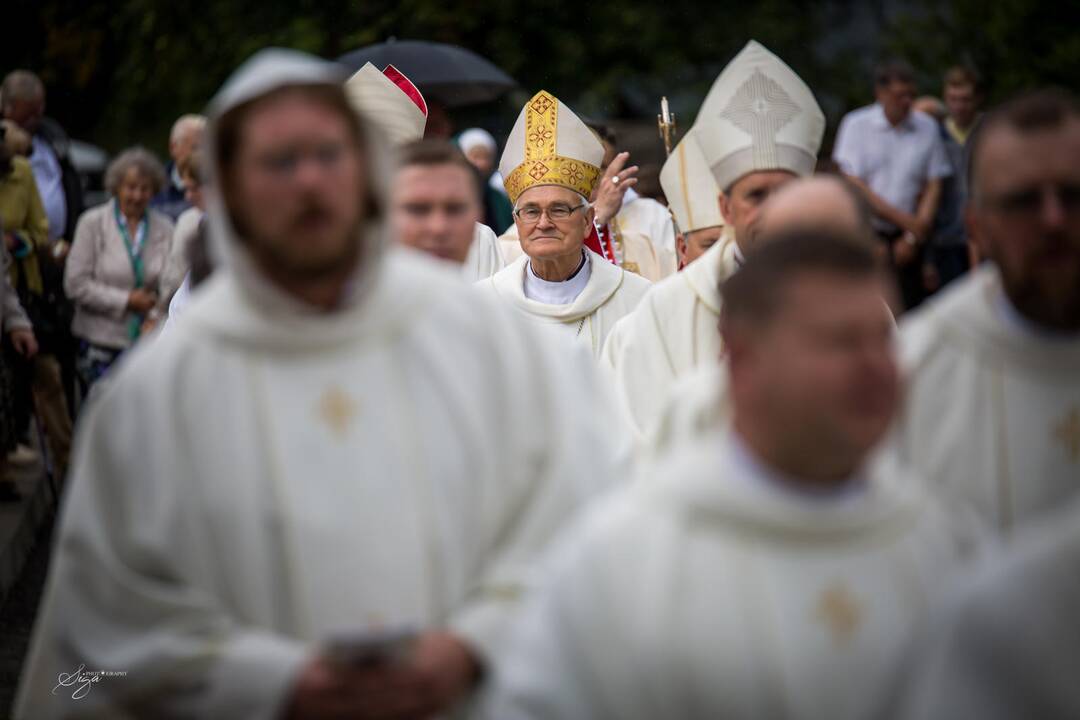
<point x="116" y="262"/>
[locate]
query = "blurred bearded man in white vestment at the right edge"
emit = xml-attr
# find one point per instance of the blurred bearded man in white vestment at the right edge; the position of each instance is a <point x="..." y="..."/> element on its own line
<point x="993" y="412"/>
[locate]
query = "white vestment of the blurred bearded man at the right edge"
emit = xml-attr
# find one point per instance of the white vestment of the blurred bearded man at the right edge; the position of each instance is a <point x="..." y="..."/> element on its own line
<point x="993" y="410"/>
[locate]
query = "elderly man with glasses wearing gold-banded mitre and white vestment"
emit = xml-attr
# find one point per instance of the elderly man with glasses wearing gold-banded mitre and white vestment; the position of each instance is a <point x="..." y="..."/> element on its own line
<point x="551" y="166"/>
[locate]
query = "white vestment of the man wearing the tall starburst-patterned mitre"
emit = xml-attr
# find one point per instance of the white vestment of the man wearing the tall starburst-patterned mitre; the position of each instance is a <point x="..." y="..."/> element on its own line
<point x="673" y="331"/>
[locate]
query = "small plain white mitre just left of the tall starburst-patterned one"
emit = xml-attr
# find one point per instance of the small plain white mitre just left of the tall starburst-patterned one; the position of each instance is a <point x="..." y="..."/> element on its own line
<point x="692" y="192"/>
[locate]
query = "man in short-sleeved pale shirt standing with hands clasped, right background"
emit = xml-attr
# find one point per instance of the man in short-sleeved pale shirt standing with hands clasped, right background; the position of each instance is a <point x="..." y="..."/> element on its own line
<point x="897" y="156"/>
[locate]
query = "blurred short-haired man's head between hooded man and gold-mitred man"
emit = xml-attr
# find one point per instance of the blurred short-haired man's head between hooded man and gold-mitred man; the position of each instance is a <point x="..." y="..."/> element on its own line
<point x="437" y="201"/>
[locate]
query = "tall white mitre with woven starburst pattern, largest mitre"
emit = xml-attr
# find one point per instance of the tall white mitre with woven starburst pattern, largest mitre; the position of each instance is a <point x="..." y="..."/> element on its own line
<point x="760" y="116"/>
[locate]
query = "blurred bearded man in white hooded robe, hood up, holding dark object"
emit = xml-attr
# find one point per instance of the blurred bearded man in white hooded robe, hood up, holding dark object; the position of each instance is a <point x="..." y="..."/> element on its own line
<point x="273" y="498"/>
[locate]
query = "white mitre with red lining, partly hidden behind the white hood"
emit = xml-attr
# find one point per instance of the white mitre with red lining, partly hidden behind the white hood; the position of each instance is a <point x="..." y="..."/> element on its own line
<point x="390" y="101"/>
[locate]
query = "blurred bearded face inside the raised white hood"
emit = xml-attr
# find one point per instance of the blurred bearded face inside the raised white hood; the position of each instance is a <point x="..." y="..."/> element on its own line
<point x="298" y="187"/>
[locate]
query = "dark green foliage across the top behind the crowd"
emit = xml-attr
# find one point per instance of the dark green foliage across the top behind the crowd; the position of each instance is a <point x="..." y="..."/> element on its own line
<point x="119" y="72"/>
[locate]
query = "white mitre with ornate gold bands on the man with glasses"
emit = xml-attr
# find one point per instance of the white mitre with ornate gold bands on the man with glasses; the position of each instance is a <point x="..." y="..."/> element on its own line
<point x="550" y="145"/>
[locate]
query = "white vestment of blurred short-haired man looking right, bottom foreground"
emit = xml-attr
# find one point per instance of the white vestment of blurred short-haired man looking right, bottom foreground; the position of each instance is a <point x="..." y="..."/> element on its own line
<point x="712" y="590"/>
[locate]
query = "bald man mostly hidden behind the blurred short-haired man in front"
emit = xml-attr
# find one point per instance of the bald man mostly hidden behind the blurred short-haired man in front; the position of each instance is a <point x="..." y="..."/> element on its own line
<point x="699" y="402"/>
